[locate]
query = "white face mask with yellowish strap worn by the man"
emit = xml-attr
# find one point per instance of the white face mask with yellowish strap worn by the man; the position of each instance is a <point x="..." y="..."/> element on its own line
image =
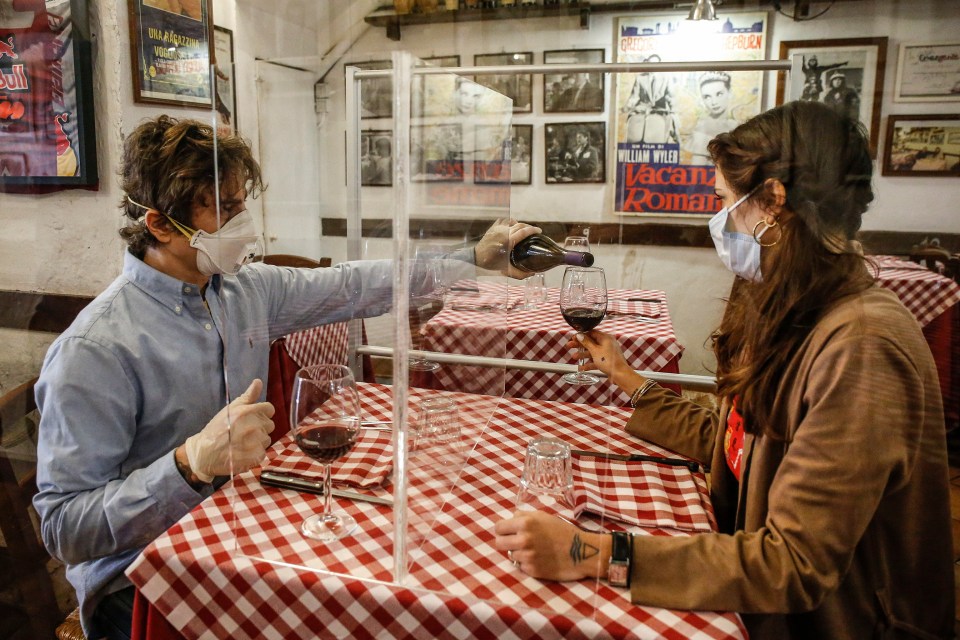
<point x="227" y="249"/>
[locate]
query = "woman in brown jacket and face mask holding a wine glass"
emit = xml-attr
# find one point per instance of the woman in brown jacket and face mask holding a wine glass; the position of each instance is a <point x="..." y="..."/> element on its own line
<point x="828" y="456"/>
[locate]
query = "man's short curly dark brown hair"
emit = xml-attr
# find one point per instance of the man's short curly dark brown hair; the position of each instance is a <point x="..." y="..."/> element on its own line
<point x="168" y="165"/>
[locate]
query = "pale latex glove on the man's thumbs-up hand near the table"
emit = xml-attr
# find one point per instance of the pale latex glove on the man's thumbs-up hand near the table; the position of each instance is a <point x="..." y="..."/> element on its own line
<point x="208" y="452"/>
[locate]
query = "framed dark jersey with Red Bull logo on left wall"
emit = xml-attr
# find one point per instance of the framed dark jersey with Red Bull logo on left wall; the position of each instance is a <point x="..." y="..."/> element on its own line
<point x="47" y="138"/>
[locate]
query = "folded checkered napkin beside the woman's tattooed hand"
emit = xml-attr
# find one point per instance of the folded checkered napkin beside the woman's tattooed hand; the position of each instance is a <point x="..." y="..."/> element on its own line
<point x="644" y="494"/>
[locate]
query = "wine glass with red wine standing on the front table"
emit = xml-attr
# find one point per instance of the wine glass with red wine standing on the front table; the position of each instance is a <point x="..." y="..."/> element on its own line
<point x="325" y="417"/>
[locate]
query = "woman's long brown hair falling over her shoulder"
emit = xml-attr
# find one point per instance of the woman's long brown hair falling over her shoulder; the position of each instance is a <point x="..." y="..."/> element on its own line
<point x="822" y="158"/>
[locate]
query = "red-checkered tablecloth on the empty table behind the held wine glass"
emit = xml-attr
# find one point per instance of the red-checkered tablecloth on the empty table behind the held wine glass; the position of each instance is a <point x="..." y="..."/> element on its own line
<point x="541" y="335"/>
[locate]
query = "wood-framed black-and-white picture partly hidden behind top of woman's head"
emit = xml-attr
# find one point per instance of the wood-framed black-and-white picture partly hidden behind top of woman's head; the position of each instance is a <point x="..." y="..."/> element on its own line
<point x="844" y="73"/>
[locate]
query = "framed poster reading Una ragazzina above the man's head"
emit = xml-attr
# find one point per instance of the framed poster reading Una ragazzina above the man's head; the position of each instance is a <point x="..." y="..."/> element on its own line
<point x="171" y="48"/>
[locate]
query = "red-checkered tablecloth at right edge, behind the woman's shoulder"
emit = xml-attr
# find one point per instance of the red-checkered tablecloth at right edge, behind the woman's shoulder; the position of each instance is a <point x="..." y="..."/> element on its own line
<point x="925" y="293"/>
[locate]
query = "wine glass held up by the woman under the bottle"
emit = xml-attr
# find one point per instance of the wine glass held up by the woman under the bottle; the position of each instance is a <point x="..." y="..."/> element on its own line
<point x="583" y="303"/>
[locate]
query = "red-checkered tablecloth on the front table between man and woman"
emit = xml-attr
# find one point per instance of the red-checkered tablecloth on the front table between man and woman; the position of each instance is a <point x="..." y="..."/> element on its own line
<point x="228" y="569"/>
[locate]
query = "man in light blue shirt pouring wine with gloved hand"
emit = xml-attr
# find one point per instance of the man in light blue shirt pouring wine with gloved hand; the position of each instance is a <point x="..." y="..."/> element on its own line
<point x="133" y="429"/>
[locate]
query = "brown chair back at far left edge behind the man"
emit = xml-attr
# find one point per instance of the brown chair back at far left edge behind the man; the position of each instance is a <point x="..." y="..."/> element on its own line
<point x="24" y="558"/>
